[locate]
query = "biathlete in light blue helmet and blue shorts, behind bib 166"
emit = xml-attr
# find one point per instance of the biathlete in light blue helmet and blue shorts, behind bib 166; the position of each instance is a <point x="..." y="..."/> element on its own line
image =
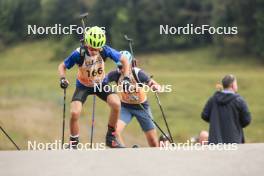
<point x="131" y="100"/>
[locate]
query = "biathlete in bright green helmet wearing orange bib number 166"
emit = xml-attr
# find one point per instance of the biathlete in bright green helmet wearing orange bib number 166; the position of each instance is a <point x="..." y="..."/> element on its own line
<point x="90" y="60"/>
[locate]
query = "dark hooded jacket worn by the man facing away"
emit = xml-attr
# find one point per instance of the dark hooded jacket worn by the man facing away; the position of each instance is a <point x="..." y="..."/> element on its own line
<point x="227" y="114"/>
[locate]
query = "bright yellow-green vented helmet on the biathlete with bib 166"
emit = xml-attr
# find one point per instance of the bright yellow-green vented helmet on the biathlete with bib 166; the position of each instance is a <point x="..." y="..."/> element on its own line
<point x="95" y="37"/>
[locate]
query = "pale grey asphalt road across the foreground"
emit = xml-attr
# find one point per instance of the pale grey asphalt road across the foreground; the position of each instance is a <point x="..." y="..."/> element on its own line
<point x="248" y="159"/>
